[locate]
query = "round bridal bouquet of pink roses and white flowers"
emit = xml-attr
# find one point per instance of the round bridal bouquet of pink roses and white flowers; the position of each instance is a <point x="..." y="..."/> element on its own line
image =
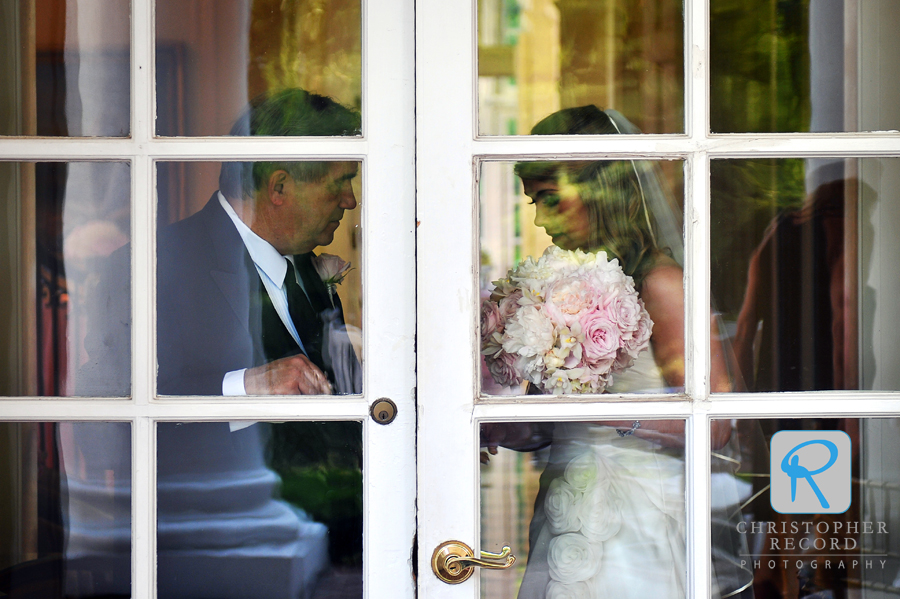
<point x="567" y="323"/>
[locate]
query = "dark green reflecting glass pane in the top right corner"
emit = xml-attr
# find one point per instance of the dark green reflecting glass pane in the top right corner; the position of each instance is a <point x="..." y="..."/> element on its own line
<point x="802" y="66"/>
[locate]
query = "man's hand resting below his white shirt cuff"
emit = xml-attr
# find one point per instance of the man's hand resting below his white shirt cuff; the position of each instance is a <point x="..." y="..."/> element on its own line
<point x="295" y="375"/>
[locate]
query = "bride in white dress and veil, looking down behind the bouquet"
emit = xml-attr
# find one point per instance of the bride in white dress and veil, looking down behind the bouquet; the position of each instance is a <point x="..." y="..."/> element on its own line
<point x="610" y="515"/>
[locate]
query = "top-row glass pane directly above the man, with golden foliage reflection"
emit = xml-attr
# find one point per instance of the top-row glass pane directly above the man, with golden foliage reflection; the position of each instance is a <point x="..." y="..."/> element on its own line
<point x="212" y="56"/>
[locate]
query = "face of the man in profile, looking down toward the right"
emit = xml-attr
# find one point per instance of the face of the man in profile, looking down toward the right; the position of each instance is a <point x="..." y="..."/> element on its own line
<point x="313" y="210"/>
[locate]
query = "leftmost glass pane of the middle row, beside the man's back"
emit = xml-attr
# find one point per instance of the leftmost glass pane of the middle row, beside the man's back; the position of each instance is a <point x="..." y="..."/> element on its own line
<point x="61" y="228"/>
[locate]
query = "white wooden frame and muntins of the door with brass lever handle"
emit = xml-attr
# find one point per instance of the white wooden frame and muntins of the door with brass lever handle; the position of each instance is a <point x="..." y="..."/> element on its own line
<point x="450" y="150"/>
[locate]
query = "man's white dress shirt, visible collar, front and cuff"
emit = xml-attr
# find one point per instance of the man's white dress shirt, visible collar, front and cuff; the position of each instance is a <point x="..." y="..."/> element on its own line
<point x="271" y="268"/>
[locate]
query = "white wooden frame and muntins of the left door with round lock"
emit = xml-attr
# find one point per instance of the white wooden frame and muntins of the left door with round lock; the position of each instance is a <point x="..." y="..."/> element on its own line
<point x="387" y="201"/>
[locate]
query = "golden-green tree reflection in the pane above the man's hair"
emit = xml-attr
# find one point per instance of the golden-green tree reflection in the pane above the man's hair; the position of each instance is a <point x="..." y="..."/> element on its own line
<point x="311" y="44"/>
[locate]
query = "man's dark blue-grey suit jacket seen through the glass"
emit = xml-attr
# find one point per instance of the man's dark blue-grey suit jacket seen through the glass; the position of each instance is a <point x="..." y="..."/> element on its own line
<point x="207" y="323"/>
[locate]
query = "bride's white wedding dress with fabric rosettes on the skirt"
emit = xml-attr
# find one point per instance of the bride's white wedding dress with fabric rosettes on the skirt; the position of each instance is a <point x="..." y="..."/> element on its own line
<point x="610" y="516"/>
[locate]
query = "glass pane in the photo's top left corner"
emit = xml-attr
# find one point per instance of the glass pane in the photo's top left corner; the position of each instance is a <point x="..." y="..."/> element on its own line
<point x="65" y="67"/>
